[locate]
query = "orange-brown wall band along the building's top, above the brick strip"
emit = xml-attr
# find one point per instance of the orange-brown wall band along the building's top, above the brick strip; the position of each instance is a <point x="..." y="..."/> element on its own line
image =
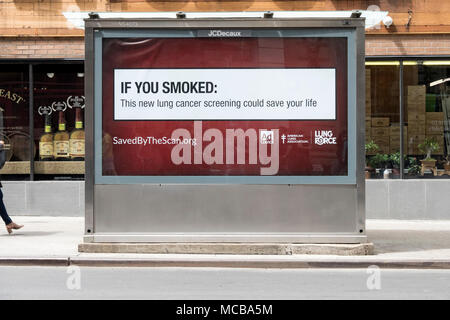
<point x="45" y="17"/>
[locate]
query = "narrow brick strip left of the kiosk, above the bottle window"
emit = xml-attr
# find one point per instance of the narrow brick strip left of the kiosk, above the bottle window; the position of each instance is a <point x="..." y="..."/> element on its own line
<point x="48" y="48"/>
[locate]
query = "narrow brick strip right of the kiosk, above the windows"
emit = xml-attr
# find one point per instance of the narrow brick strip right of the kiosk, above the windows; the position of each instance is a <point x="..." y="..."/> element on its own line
<point x="407" y="45"/>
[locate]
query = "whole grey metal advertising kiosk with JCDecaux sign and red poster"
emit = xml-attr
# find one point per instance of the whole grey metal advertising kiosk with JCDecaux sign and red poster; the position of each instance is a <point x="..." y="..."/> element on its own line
<point x="213" y="127"/>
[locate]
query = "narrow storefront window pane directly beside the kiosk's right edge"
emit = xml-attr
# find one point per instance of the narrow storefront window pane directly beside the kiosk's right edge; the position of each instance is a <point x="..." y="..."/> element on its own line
<point x="382" y="119"/>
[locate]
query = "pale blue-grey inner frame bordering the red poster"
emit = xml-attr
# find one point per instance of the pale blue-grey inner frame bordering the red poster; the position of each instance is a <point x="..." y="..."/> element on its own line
<point x="350" y="178"/>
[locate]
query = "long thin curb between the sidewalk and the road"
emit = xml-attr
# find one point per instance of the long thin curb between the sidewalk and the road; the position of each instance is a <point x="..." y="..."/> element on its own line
<point x="235" y="263"/>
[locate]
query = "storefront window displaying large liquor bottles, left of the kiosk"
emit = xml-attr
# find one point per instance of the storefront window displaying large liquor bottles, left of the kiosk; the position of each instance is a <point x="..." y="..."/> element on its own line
<point x="59" y="121"/>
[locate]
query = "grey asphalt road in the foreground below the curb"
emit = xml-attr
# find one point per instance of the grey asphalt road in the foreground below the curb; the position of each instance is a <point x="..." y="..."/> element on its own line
<point x="215" y="283"/>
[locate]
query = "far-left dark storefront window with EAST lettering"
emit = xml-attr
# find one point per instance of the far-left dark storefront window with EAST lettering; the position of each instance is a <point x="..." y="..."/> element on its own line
<point x="14" y="120"/>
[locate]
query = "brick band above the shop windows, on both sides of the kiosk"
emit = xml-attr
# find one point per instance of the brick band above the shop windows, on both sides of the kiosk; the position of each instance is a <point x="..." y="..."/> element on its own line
<point x="73" y="47"/>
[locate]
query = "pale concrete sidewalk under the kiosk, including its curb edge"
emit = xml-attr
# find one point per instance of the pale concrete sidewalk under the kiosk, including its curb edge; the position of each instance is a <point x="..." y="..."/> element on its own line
<point x="398" y="244"/>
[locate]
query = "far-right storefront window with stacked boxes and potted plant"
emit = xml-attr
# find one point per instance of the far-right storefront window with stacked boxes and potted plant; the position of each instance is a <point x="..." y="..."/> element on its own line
<point x="427" y="113"/>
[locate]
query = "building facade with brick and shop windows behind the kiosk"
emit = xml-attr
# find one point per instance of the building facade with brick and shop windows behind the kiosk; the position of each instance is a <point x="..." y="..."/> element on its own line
<point x="407" y="100"/>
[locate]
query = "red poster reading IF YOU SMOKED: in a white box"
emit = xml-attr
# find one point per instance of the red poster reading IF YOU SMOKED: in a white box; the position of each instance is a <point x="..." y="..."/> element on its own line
<point x="225" y="107"/>
